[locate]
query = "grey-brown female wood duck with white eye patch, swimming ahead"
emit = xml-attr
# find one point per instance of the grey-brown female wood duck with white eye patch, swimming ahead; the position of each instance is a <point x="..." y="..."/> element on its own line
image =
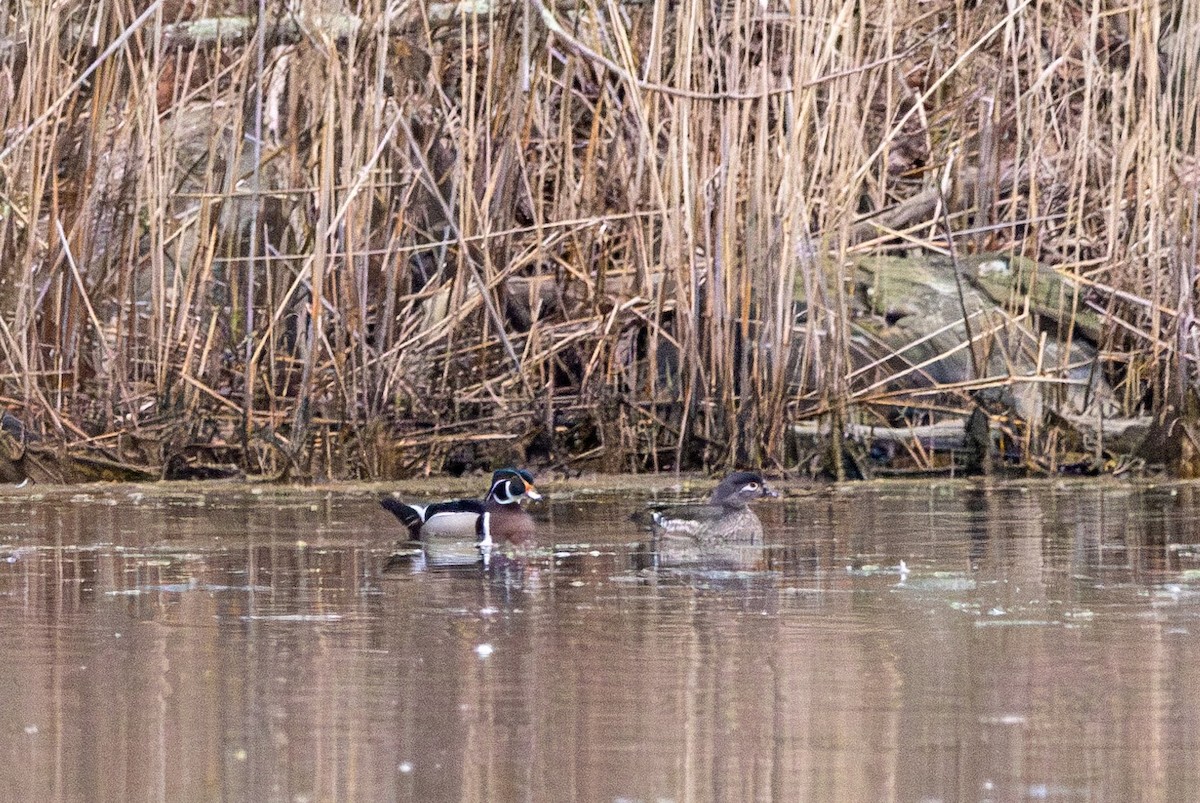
<point x="723" y="532"/>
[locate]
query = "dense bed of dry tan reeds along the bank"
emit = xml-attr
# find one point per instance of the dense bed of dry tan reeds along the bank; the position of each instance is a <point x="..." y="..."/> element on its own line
<point x="370" y="239"/>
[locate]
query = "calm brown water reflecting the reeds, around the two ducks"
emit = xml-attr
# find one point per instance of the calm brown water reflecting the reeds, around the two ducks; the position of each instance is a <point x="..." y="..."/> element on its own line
<point x="1040" y="643"/>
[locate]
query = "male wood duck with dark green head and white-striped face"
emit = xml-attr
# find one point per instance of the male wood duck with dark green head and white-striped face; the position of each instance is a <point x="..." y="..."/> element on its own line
<point x="499" y="518"/>
